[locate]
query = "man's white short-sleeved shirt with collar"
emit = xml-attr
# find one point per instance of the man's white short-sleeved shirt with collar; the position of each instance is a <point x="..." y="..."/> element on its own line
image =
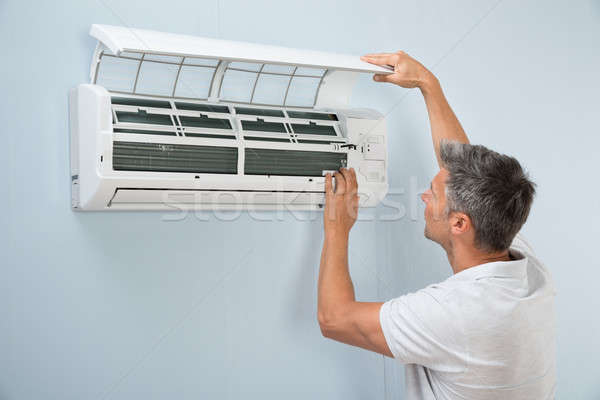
<point x="484" y="333"/>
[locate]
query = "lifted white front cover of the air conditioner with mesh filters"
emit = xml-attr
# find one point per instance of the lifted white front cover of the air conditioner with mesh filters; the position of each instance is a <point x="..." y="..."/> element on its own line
<point x="140" y="62"/>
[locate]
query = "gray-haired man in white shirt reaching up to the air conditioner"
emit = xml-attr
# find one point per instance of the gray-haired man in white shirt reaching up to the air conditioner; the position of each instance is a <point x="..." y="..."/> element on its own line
<point x="487" y="332"/>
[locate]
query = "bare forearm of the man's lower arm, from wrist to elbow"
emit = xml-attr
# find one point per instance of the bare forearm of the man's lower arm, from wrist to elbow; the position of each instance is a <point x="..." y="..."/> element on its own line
<point x="335" y="286"/>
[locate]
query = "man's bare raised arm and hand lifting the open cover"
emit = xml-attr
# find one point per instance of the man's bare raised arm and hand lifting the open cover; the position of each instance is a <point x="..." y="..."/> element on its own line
<point x="409" y="73"/>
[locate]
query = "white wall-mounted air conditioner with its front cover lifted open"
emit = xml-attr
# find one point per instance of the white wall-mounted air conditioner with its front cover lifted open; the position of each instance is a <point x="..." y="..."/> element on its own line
<point x="172" y="121"/>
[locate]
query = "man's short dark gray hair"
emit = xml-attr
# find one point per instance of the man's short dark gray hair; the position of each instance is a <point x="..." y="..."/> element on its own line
<point x="491" y="188"/>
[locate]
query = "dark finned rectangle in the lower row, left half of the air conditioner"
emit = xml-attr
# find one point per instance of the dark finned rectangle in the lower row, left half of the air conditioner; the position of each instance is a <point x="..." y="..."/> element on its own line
<point x="133" y="156"/>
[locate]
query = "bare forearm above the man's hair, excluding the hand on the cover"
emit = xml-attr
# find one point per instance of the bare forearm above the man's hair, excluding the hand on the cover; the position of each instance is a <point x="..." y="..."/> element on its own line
<point x="443" y="121"/>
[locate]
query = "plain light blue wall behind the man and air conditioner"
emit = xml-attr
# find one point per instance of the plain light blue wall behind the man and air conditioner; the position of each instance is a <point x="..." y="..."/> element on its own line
<point x="127" y="305"/>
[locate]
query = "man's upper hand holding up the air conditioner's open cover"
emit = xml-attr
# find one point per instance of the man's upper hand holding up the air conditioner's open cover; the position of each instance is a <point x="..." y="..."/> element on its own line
<point x="408" y="72"/>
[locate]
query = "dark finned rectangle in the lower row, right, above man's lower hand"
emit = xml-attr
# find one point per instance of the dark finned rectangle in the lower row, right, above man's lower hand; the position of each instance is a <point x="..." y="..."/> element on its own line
<point x="291" y="162"/>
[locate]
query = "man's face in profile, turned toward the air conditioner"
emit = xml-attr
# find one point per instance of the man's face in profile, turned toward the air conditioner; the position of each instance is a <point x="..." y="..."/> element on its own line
<point x="437" y="227"/>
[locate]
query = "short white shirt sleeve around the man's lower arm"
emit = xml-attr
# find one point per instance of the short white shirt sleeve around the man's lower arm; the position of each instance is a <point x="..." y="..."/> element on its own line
<point x="425" y="328"/>
